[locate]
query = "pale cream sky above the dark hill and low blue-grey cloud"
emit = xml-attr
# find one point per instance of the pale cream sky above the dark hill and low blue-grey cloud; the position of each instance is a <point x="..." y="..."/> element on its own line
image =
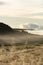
<point x="17" y="12"/>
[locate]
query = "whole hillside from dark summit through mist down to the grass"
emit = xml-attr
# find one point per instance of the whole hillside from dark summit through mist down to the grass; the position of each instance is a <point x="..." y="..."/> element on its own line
<point x="17" y="36"/>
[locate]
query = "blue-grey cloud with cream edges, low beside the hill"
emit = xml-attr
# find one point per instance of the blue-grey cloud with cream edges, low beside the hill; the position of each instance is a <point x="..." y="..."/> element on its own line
<point x="34" y="26"/>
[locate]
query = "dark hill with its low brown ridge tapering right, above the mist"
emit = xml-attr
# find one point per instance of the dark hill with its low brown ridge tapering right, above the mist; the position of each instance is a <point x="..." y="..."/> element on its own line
<point x="5" y="29"/>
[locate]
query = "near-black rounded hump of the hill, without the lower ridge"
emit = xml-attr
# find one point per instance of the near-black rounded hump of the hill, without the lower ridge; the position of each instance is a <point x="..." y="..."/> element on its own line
<point x="4" y="28"/>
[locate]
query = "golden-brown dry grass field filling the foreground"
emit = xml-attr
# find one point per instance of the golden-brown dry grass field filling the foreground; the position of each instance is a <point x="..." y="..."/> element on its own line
<point x="21" y="55"/>
